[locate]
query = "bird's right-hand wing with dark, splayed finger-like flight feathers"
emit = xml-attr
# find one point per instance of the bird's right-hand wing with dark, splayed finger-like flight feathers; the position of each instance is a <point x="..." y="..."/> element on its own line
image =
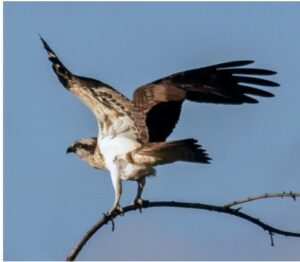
<point x="225" y="83"/>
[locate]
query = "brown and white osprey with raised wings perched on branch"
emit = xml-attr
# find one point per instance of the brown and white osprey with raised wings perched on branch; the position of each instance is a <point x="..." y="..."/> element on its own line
<point x="132" y="133"/>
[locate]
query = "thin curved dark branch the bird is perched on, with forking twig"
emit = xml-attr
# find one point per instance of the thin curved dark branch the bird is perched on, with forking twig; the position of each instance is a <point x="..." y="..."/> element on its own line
<point x="222" y="209"/>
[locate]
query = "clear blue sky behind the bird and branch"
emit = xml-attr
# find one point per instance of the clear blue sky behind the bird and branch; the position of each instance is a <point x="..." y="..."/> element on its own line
<point x="51" y="199"/>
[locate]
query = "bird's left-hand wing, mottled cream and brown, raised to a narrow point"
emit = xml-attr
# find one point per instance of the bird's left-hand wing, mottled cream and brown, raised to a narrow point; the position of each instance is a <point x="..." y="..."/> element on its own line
<point x="115" y="114"/>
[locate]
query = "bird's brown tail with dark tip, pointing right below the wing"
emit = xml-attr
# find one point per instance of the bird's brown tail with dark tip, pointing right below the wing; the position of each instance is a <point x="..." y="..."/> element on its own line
<point x="186" y="150"/>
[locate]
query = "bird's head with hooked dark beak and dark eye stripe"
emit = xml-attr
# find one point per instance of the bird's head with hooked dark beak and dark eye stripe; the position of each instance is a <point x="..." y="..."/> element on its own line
<point x="87" y="150"/>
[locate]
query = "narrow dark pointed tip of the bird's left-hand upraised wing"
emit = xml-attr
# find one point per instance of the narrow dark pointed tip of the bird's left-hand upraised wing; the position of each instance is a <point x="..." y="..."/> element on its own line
<point x="63" y="74"/>
